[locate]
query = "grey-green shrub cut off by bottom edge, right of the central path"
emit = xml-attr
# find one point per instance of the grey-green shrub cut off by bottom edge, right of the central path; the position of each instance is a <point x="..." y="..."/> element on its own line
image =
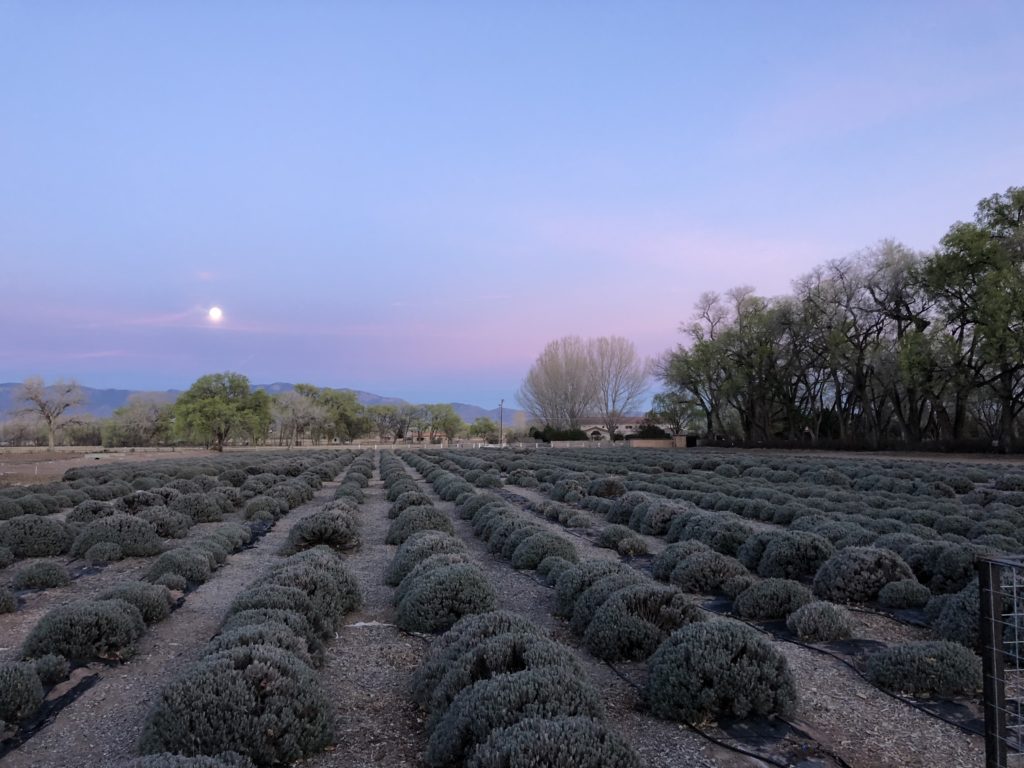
<point x="556" y="743"/>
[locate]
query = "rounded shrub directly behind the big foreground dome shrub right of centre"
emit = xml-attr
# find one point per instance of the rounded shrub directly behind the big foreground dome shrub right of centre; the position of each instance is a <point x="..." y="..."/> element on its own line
<point x="634" y="621"/>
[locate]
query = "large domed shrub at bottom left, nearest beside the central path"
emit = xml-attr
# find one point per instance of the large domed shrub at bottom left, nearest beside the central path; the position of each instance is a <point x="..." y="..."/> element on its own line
<point x="253" y="700"/>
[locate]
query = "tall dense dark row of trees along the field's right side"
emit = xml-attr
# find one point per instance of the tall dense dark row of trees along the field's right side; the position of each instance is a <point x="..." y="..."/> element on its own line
<point x="890" y="348"/>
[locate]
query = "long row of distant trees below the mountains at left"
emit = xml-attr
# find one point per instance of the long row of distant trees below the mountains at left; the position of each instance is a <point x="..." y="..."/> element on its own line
<point x="220" y="409"/>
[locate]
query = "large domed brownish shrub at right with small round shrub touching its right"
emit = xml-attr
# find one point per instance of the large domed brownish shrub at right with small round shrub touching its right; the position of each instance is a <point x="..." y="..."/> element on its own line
<point x="858" y="574"/>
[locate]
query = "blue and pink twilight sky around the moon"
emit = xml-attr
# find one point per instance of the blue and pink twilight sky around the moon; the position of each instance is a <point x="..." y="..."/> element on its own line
<point x="414" y="198"/>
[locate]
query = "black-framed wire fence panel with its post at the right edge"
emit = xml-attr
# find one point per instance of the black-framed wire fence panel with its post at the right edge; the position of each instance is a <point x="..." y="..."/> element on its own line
<point x="1002" y="585"/>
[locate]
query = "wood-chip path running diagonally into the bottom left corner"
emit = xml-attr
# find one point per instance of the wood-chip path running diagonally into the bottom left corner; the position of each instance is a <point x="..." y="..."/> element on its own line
<point x="102" y="728"/>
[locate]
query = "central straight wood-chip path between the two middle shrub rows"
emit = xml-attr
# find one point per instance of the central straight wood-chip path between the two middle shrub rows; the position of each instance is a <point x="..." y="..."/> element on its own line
<point x="370" y="665"/>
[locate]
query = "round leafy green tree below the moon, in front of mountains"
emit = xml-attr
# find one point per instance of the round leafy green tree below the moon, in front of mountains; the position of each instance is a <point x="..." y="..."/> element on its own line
<point x="218" y="406"/>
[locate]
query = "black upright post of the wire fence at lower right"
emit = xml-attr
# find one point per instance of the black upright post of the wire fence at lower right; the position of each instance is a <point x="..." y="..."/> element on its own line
<point x="991" y="584"/>
